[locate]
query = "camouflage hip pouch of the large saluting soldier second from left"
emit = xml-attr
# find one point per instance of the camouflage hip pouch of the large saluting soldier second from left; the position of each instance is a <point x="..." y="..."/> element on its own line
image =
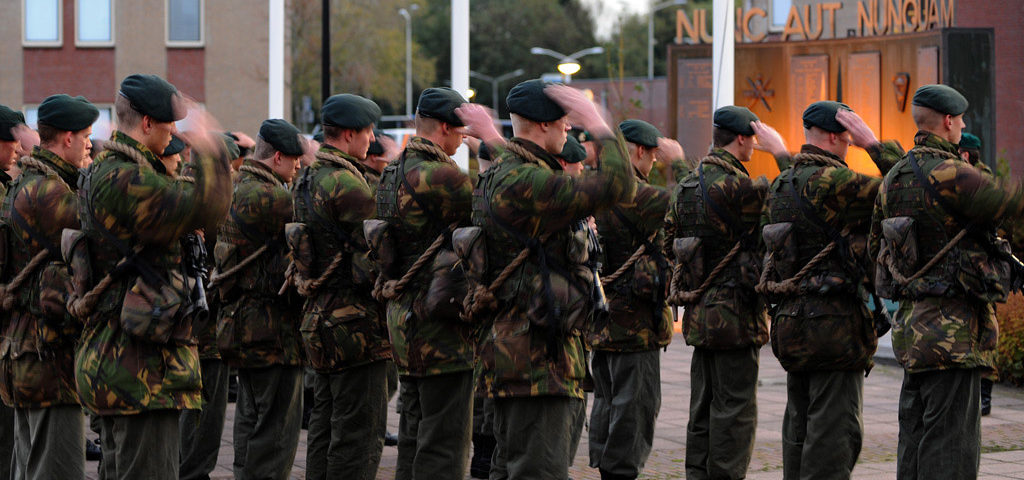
<point x="153" y="314"/>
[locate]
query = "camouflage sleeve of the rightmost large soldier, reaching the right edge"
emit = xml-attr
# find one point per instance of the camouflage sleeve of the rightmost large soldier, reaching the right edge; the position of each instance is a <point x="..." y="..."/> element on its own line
<point x="977" y="196"/>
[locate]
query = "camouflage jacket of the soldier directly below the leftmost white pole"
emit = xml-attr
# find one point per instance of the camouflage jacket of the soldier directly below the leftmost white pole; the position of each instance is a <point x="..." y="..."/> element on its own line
<point x="255" y="327"/>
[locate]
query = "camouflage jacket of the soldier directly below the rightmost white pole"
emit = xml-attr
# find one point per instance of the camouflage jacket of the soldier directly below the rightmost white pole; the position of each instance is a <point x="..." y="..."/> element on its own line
<point x="730" y="315"/>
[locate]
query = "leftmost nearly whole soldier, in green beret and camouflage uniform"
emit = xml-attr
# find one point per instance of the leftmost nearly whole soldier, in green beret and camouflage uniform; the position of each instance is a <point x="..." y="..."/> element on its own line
<point x="38" y="347"/>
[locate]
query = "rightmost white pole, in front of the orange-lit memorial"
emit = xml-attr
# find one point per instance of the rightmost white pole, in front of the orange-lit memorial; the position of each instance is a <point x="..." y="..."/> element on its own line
<point x="723" y="54"/>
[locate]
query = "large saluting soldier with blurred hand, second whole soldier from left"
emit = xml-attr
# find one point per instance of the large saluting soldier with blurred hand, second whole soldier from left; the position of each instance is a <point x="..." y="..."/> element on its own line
<point x="138" y="365"/>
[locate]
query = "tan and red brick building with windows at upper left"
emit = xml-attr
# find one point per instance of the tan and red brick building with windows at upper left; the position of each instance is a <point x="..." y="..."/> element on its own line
<point x="215" y="52"/>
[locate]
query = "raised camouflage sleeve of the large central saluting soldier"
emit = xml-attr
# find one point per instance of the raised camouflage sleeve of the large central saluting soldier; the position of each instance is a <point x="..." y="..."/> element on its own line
<point x="559" y="200"/>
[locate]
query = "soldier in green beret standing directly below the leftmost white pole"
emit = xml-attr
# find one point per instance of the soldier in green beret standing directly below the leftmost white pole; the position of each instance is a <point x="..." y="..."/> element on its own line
<point x="258" y="329"/>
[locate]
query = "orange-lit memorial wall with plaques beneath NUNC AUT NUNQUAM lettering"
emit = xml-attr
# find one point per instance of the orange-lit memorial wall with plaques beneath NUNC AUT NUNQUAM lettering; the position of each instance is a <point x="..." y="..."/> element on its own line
<point x="876" y="76"/>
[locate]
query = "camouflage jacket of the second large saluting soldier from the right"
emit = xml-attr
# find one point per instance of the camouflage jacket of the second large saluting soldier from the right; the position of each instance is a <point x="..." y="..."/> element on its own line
<point x="828" y="325"/>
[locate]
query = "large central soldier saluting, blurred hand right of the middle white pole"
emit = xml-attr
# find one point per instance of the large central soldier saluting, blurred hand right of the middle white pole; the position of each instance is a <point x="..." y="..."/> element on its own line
<point x="534" y="358"/>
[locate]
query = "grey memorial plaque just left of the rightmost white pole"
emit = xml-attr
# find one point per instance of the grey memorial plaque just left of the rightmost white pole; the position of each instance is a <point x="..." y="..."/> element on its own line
<point x="694" y="127"/>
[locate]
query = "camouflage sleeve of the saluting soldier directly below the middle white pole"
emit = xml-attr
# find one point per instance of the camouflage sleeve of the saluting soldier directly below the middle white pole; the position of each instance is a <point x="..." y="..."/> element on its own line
<point x="448" y="187"/>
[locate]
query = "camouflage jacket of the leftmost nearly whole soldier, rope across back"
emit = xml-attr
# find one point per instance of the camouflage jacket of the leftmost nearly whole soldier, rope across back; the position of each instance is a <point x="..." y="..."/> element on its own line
<point x="38" y="347"/>
